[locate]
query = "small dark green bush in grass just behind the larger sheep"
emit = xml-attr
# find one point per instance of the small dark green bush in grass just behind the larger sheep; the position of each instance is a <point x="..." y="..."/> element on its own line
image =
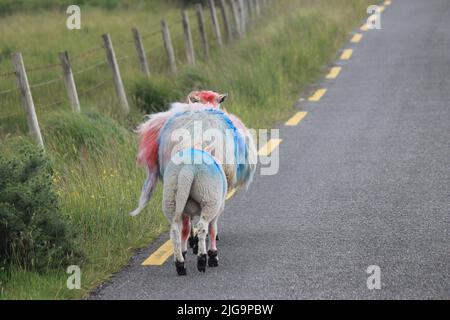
<point x="154" y="96"/>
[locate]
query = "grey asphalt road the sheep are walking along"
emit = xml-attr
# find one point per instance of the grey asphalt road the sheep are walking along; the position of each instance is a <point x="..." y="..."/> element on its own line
<point x="364" y="180"/>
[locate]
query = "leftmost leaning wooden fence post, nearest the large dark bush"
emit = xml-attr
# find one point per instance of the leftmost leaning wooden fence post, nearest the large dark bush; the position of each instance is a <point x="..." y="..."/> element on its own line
<point x="27" y="99"/>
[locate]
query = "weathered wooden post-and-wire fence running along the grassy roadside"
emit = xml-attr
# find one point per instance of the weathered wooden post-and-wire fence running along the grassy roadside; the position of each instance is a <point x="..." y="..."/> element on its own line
<point x="235" y="15"/>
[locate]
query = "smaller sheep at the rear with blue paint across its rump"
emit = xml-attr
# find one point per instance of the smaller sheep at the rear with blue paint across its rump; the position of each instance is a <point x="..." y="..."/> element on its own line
<point x="200" y="179"/>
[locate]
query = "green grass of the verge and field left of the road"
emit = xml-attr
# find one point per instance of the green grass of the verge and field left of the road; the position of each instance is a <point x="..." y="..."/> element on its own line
<point x="96" y="176"/>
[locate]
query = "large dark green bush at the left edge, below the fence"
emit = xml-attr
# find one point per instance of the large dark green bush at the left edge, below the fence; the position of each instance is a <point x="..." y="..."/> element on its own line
<point x="33" y="234"/>
